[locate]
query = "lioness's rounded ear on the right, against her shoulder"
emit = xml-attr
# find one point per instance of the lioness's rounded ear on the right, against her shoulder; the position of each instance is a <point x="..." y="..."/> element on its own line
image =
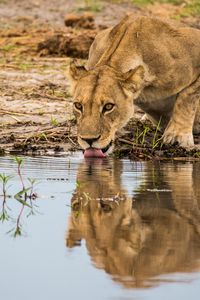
<point x="133" y="79"/>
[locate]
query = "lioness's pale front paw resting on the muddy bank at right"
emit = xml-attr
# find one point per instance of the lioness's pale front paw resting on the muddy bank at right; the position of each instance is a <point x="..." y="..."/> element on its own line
<point x="184" y="140"/>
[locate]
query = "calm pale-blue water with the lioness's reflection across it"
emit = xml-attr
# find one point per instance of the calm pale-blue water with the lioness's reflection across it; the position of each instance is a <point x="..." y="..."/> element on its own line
<point x="100" y="229"/>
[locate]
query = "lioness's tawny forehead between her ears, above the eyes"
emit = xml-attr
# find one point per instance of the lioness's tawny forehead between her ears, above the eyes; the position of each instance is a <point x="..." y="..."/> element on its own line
<point x="98" y="87"/>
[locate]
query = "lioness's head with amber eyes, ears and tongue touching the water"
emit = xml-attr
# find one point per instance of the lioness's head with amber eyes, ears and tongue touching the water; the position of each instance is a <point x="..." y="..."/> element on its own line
<point x="103" y="103"/>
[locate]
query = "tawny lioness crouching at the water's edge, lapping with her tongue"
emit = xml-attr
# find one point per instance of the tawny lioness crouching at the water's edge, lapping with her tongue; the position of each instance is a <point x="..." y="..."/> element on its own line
<point x="142" y="61"/>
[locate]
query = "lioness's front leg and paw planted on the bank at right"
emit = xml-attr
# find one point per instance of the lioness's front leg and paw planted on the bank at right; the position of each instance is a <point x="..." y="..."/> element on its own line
<point x="180" y="126"/>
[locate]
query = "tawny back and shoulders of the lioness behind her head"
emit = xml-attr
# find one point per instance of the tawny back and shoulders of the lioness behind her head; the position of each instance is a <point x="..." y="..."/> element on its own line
<point x="171" y="53"/>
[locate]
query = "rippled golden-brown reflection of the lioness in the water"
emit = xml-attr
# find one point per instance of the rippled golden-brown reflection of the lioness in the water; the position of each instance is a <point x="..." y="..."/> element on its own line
<point x="137" y="239"/>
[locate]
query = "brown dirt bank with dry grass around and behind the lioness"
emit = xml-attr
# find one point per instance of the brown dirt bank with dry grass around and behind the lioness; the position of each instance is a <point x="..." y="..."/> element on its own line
<point x="35" y="49"/>
